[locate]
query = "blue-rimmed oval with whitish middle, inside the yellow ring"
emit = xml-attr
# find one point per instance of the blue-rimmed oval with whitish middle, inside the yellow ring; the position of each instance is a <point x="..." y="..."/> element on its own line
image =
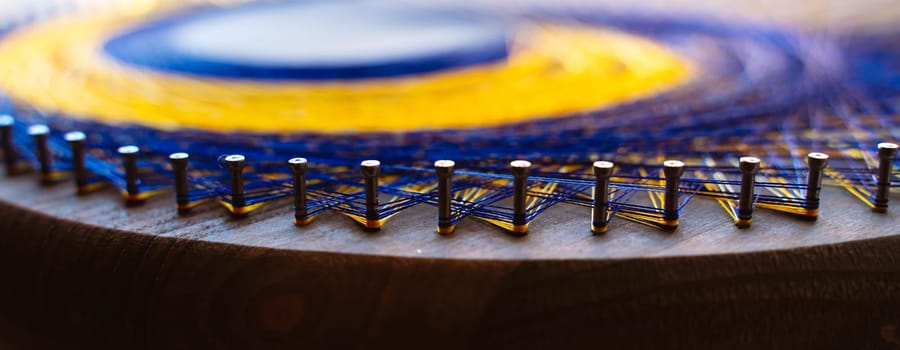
<point x="312" y="40"/>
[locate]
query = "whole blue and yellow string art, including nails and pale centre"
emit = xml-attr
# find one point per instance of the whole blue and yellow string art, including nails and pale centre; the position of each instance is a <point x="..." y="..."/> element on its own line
<point x="371" y="108"/>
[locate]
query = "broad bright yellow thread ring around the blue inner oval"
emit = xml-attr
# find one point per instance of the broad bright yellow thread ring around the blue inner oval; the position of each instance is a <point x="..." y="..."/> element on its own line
<point x="552" y="70"/>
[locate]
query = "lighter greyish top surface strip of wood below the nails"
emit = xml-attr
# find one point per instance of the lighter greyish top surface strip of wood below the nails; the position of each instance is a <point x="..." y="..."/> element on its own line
<point x="561" y="233"/>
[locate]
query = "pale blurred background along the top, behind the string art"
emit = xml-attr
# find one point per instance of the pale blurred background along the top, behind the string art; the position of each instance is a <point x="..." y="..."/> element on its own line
<point x="818" y="14"/>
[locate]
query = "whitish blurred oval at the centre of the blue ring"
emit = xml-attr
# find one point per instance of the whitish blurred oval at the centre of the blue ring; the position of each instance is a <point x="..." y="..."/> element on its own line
<point x="335" y="34"/>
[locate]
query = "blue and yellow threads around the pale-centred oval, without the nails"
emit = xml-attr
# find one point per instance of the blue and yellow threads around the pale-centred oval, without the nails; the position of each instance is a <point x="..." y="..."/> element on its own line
<point x="779" y="103"/>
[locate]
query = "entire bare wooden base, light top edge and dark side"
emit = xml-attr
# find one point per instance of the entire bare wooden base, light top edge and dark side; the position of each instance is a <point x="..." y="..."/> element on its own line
<point x="87" y="272"/>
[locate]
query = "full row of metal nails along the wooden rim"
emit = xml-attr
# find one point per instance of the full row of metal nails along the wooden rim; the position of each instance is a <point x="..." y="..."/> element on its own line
<point x="444" y="169"/>
